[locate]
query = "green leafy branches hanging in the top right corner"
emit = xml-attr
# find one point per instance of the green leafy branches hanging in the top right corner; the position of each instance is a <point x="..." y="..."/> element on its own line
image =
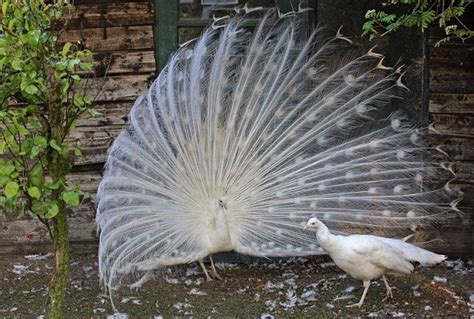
<point x="419" y="14"/>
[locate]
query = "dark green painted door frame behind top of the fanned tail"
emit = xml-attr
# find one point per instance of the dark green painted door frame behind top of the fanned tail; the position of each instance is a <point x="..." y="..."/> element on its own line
<point x="167" y="23"/>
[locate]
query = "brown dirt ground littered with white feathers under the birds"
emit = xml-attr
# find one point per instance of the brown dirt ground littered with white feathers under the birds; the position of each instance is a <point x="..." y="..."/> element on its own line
<point x="297" y="288"/>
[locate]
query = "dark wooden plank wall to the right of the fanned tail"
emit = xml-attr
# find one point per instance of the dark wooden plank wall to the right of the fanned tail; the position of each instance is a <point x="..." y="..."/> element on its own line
<point x="451" y="107"/>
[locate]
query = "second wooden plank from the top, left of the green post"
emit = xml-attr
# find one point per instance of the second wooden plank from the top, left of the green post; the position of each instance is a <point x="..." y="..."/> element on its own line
<point x="111" y="39"/>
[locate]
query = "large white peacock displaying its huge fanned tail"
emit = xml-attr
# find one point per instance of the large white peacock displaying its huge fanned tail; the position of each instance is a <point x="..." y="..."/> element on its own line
<point x="245" y="135"/>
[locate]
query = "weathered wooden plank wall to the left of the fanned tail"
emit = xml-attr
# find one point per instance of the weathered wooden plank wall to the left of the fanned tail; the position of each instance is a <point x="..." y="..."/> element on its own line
<point x="120" y="33"/>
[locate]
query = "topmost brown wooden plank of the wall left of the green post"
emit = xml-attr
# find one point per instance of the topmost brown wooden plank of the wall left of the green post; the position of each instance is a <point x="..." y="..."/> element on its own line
<point x="117" y="14"/>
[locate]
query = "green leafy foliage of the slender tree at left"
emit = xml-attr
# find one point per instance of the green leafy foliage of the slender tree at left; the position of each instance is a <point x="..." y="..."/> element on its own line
<point x="39" y="104"/>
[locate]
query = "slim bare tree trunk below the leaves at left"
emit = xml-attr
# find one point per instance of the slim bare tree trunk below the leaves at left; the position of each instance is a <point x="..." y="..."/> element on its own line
<point x="59" y="279"/>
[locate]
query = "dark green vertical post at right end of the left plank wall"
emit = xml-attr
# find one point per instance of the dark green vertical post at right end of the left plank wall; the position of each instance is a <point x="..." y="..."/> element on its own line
<point x="165" y="31"/>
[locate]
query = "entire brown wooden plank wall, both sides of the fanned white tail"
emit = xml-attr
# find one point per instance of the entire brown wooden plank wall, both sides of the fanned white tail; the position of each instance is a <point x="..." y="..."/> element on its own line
<point x="121" y="35"/>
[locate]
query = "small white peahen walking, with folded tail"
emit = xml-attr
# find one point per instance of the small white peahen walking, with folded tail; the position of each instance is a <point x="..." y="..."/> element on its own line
<point x="367" y="257"/>
